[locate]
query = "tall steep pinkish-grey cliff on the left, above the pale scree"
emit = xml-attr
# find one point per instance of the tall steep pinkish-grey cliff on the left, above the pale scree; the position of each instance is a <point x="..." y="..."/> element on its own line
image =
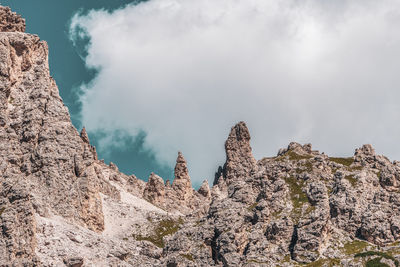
<point x="46" y="168"/>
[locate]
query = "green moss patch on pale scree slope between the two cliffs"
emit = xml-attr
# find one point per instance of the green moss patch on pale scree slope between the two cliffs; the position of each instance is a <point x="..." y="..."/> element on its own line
<point x="164" y="228"/>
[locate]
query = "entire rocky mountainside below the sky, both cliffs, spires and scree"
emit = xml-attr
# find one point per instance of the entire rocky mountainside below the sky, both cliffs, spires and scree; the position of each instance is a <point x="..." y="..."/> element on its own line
<point x="60" y="205"/>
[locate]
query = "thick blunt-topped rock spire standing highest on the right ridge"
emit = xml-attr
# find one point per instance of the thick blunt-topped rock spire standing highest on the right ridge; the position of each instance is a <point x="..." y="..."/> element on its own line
<point x="239" y="158"/>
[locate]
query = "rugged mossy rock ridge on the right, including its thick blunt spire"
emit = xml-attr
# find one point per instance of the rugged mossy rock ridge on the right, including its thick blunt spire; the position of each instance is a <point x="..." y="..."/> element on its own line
<point x="300" y="207"/>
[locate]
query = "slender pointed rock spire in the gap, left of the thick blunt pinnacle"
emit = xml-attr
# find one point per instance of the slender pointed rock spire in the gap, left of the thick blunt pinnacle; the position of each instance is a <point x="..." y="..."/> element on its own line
<point x="182" y="184"/>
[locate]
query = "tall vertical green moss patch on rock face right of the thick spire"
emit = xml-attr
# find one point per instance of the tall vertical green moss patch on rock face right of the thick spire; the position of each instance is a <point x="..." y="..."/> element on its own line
<point x="297" y="196"/>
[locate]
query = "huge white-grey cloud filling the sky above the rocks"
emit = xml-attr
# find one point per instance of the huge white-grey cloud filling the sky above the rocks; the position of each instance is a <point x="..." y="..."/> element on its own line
<point x="184" y="71"/>
